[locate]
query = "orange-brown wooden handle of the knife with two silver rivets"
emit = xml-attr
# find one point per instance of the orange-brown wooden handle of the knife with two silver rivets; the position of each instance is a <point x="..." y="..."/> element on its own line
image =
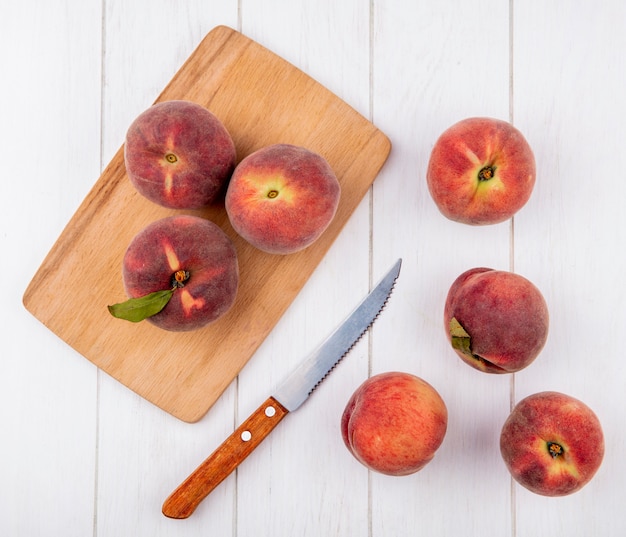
<point x="184" y="500"/>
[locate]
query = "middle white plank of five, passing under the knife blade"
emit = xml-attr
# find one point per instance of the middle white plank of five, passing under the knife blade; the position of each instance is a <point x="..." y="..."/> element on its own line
<point x="295" y="483"/>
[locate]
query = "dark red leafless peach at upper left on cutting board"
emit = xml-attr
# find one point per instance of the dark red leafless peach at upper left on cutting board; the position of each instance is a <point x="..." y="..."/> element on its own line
<point x="179" y="155"/>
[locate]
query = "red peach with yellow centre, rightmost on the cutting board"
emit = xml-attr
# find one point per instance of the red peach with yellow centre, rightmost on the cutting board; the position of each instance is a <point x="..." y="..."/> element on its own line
<point x="281" y="198"/>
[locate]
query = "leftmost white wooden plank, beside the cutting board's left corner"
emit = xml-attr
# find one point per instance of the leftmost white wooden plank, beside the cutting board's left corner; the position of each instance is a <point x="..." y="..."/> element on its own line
<point x="50" y="118"/>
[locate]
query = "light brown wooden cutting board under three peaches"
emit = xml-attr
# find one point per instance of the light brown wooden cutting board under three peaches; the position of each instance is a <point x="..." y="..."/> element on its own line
<point x="261" y="99"/>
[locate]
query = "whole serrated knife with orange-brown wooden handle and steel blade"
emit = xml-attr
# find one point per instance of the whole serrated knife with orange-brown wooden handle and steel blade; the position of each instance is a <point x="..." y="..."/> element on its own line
<point x="288" y="397"/>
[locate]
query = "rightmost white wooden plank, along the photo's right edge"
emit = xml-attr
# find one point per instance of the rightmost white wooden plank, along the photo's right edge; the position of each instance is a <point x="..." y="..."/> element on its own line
<point x="569" y="240"/>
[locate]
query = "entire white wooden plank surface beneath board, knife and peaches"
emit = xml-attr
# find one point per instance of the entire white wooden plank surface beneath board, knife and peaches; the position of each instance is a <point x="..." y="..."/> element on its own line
<point x="80" y="455"/>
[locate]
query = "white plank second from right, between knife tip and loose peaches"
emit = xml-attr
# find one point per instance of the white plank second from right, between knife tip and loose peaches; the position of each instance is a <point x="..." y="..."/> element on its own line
<point x="437" y="80"/>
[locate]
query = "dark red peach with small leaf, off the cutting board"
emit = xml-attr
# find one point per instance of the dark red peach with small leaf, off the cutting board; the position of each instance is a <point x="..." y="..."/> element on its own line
<point x="496" y="321"/>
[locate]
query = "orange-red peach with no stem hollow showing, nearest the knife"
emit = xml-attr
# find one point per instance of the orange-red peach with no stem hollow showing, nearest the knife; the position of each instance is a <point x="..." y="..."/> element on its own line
<point x="394" y="423"/>
